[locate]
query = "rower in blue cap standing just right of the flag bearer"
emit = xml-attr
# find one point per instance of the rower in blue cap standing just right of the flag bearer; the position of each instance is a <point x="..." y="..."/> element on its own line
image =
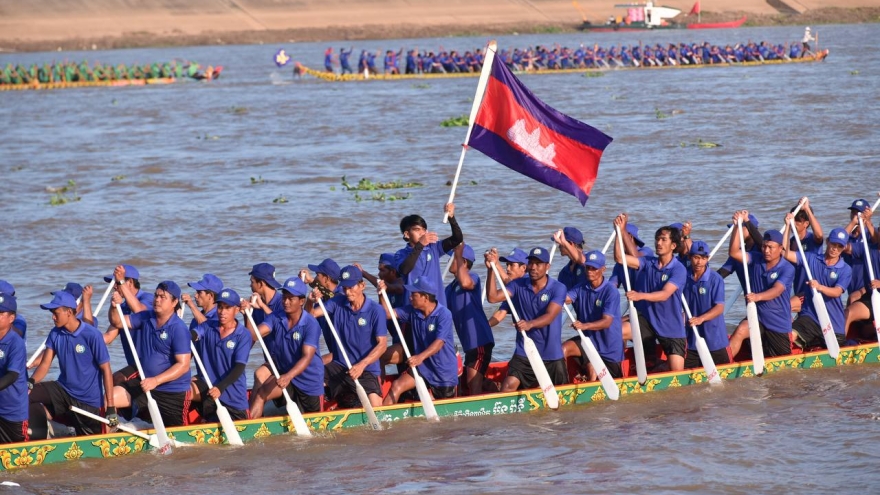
<point x="464" y="295"/>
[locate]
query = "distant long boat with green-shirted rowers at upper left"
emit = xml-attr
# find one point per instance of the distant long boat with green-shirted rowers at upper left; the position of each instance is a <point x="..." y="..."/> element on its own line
<point x="82" y="75"/>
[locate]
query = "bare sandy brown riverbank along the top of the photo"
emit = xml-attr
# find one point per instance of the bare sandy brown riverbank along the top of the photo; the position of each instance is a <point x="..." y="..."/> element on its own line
<point x="38" y="25"/>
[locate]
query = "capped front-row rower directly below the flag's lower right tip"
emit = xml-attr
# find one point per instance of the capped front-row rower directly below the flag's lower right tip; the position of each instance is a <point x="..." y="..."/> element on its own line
<point x="597" y="308"/>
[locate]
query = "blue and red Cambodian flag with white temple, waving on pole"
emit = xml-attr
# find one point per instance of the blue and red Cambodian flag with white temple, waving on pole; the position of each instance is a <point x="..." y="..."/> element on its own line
<point x="521" y="132"/>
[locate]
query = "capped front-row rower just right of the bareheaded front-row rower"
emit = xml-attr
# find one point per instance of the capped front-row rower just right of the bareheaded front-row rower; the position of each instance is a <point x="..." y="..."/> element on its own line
<point x="704" y="292"/>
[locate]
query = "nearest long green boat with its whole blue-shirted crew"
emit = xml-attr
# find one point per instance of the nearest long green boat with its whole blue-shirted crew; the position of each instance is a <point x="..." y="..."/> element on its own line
<point x="601" y="368"/>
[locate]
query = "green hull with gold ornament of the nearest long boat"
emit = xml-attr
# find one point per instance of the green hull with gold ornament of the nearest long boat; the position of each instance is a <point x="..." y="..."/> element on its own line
<point x="210" y="435"/>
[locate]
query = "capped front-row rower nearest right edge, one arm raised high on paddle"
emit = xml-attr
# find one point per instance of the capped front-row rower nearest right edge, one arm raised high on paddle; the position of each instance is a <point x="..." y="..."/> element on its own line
<point x="831" y="276"/>
